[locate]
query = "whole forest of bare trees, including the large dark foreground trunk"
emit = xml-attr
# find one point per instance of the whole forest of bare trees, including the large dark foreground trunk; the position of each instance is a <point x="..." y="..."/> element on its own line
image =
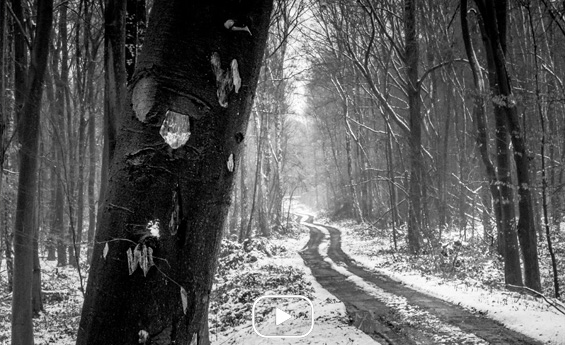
<point x="124" y="119"/>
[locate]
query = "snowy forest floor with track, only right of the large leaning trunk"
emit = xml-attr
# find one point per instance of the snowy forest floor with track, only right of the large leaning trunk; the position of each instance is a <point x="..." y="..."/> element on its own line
<point x="394" y="298"/>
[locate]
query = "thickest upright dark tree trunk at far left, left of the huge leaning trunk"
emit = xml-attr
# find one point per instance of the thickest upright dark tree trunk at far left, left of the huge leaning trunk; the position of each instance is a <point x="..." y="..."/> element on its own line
<point x="28" y="123"/>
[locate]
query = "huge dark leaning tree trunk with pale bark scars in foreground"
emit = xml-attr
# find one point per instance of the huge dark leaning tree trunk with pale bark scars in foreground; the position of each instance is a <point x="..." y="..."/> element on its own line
<point x="182" y="71"/>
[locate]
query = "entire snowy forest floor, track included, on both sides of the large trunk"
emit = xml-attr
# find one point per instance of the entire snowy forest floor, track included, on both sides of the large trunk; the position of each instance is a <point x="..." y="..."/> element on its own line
<point x="362" y="293"/>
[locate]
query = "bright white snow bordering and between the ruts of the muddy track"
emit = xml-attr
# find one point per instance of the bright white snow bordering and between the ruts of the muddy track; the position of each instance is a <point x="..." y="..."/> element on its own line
<point x="522" y="313"/>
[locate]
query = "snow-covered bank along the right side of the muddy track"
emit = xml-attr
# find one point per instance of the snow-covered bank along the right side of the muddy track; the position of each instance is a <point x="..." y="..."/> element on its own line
<point x="470" y="278"/>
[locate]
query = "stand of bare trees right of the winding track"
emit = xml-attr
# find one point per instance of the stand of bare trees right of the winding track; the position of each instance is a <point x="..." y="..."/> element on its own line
<point x="438" y="117"/>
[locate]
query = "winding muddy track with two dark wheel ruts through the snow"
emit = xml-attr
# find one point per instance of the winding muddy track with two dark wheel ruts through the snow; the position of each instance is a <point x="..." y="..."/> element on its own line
<point x="411" y="318"/>
